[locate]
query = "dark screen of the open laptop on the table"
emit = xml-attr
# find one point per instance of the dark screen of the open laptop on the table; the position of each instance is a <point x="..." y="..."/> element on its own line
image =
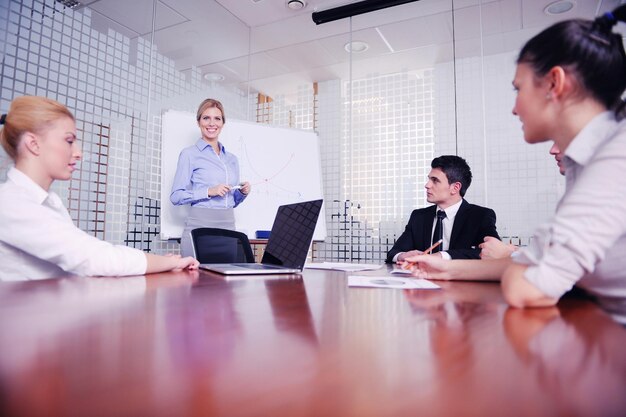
<point x="291" y="234"/>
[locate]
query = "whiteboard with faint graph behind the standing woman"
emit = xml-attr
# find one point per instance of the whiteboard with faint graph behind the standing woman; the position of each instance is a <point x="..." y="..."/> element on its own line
<point x="282" y="165"/>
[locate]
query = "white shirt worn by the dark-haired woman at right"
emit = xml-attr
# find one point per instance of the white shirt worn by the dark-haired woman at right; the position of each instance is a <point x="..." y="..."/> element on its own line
<point x="585" y="243"/>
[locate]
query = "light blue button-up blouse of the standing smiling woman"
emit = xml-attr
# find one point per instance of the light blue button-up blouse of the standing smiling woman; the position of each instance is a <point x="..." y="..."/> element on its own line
<point x="200" y="168"/>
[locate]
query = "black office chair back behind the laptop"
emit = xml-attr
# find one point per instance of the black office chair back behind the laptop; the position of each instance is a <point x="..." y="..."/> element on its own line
<point x="218" y="246"/>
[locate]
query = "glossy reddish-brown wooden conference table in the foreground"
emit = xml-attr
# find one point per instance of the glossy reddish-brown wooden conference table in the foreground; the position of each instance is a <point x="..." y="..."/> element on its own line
<point x="194" y="344"/>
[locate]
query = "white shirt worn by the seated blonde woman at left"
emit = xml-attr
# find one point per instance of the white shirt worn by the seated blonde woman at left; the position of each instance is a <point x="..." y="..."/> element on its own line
<point x="38" y="239"/>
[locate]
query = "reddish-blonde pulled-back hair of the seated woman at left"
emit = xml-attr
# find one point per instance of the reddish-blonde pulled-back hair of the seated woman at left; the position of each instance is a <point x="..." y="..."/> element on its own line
<point x="29" y="114"/>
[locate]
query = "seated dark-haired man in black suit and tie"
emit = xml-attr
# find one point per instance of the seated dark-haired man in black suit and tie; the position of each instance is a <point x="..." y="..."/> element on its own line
<point x="462" y="227"/>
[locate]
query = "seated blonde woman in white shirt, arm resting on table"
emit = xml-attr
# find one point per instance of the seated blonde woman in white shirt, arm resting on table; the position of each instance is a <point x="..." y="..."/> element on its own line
<point x="38" y="239"/>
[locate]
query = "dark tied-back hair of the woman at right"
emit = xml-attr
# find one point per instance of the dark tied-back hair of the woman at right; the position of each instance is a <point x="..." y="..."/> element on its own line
<point x="589" y="50"/>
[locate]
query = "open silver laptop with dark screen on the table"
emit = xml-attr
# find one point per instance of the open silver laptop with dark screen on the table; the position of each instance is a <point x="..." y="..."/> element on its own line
<point x="288" y="244"/>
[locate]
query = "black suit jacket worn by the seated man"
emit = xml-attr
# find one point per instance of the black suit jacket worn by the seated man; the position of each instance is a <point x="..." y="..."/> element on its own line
<point x="471" y="224"/>
